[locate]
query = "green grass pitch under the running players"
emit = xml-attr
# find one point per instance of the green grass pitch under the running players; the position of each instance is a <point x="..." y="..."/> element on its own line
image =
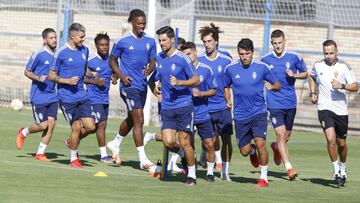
<point x="23" y="179"/>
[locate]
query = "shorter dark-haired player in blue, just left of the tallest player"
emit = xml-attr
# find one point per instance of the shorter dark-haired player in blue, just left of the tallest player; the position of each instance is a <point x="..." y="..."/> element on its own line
<point x="98" y="86"/>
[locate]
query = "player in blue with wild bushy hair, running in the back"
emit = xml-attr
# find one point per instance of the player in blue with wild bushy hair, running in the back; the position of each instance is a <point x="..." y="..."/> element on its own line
<point x="220" y="116"/>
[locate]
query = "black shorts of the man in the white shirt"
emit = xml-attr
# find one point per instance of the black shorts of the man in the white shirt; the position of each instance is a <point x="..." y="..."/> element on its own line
<point x="329" y="119"/>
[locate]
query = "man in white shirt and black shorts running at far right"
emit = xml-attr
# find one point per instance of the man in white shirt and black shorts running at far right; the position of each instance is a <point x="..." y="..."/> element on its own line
<point x="334" y="77"/>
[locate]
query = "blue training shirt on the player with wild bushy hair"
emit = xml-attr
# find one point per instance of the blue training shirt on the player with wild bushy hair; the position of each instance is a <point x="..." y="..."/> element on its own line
<point x="217" y="102"/>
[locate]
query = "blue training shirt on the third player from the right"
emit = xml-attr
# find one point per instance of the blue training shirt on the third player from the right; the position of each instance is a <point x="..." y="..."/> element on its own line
<point x="247" y="85"/>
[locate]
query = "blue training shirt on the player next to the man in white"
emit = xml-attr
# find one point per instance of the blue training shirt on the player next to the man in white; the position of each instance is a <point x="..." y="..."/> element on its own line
<point x="285" y="98"/>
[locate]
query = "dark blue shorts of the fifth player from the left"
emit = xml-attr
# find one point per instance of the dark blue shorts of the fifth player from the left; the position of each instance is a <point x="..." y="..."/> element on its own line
<point x="178" y="119"/>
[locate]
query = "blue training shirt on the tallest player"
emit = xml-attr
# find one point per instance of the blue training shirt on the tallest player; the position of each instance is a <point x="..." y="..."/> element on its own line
<point x="134" y="55"/>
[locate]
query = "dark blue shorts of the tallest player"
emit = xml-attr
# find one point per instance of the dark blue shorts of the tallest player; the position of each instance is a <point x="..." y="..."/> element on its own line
<point x="133" y="98"/>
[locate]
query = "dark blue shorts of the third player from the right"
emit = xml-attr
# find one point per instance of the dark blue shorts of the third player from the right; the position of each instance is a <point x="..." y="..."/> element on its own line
<point x="251" y="128"/>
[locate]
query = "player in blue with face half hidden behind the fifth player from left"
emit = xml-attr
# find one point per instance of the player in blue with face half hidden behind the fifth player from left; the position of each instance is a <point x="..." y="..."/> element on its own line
<point x="202" y="119"/>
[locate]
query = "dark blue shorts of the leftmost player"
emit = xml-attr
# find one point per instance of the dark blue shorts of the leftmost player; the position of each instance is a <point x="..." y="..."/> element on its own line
<point x="41" y="112"/>
